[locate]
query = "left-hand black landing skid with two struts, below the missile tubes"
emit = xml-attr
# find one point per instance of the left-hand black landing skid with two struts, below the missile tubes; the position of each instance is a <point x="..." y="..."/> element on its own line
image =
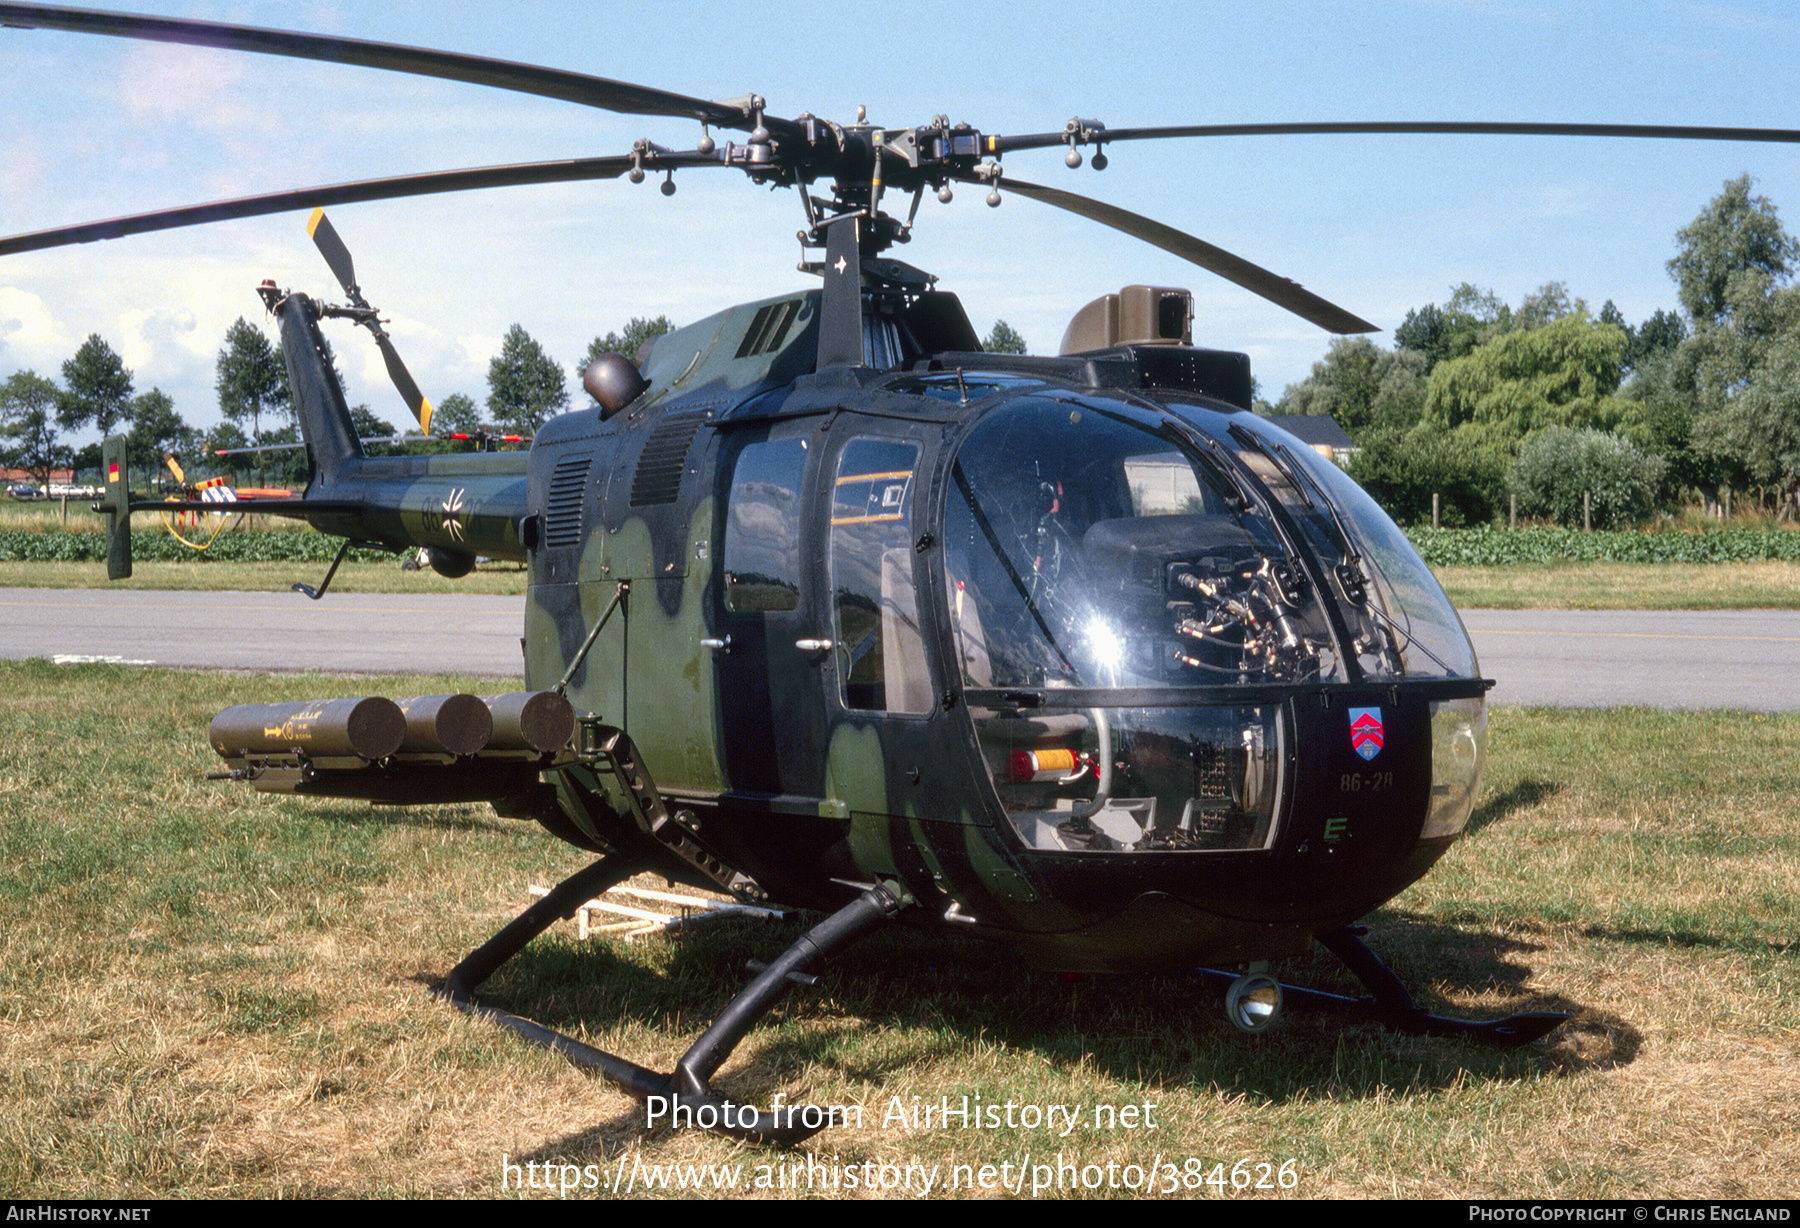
<point x="685" y="1094"/>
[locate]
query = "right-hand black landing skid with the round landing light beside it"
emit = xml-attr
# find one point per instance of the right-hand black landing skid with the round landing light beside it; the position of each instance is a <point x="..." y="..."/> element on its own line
<point x="1390" y="1004"/>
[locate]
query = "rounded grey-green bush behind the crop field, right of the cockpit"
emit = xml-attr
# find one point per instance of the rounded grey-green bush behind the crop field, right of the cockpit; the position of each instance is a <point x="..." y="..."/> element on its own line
<point x="1561" y="465"/>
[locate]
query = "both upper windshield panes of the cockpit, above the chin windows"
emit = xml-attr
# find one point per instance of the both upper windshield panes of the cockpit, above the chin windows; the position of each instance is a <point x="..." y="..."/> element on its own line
<point x="1095" y="543"/>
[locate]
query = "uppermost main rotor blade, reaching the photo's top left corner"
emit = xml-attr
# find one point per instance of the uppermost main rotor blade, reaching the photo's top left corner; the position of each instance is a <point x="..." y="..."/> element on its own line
<point x="570" y="87"/>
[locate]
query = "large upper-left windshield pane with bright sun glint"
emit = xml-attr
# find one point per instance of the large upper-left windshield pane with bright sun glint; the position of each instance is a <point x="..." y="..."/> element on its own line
<point x="1090" y="545"/>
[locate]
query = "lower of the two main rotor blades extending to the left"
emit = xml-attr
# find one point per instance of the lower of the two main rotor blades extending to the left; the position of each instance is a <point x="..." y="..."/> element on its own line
<point x="391" y="188"/>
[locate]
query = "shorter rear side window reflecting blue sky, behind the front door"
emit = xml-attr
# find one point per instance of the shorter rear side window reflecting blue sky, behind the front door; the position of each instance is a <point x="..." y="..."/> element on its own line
<point x="762" y="528"/>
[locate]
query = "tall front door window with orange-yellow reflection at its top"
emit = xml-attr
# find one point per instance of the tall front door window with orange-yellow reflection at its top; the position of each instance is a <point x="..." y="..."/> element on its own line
<point x="881" y="653"/>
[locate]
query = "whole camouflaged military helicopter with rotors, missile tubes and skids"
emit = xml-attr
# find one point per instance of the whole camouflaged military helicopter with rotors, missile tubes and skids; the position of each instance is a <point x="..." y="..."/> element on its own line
<point x="832" y="609"/>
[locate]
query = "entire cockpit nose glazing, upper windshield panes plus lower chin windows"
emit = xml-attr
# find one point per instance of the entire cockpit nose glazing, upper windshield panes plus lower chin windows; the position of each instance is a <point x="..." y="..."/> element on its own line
<point x="1133" y="595"/>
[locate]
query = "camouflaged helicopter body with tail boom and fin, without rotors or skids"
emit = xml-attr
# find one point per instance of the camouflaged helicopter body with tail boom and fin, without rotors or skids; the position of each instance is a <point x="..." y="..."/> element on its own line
<point x="1066" y="653"/>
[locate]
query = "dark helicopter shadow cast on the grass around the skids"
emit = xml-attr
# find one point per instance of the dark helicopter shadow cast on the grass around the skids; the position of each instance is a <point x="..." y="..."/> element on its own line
<point x="908" y="1011"/>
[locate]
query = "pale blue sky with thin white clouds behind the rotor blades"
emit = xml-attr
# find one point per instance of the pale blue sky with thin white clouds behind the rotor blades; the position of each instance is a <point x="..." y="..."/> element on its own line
<point x="100" y="127"/>
